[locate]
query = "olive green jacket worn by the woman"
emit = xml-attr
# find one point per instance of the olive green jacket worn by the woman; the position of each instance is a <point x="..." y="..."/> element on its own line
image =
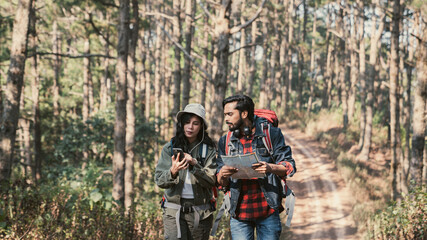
<point x="202" y="177"/>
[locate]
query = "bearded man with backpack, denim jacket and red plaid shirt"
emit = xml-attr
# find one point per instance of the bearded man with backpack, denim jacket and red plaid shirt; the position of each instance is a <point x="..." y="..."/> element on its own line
<point x="254" y="203"/>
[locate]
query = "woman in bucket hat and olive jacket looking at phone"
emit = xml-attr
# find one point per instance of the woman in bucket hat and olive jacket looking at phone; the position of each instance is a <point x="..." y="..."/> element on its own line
<point x="188" y="182"/>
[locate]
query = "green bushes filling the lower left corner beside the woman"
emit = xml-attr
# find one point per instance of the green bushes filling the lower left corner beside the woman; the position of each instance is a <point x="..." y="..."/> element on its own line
<point x="74" y="204"/>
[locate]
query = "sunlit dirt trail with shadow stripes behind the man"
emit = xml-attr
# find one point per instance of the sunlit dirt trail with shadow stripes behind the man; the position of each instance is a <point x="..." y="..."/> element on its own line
<point x="323" y="202"/>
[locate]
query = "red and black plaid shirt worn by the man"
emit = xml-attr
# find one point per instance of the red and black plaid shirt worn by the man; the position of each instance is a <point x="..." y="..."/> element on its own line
<point x="252" y="201"/>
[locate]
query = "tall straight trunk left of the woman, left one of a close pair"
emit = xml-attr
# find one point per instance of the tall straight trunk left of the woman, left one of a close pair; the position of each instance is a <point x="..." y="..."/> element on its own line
<point x="120" y="123"/>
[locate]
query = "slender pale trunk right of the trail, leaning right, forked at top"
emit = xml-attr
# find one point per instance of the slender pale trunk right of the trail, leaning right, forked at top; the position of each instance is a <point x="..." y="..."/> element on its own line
<point x="376" y="34"/>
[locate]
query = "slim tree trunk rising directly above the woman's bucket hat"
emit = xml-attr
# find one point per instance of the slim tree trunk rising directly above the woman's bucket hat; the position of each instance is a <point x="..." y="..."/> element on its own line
<point x="188" y="33"/>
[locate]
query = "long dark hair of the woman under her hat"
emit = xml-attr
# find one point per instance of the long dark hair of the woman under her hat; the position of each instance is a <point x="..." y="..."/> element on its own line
<point x="180" y="140"/>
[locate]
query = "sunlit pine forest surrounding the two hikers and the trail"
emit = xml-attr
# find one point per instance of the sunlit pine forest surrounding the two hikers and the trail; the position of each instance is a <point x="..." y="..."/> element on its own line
<point x="89" y="91"/>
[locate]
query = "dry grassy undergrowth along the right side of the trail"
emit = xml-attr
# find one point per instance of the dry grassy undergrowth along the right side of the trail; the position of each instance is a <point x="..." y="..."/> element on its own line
<point x="375" y="214"/>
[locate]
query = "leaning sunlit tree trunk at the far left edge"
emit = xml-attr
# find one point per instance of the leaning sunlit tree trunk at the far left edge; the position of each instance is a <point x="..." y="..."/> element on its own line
<point x="15" y="79"/>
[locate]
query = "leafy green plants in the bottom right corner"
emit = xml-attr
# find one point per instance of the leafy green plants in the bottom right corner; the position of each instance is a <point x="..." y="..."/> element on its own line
<point x="404" y="220"/>
